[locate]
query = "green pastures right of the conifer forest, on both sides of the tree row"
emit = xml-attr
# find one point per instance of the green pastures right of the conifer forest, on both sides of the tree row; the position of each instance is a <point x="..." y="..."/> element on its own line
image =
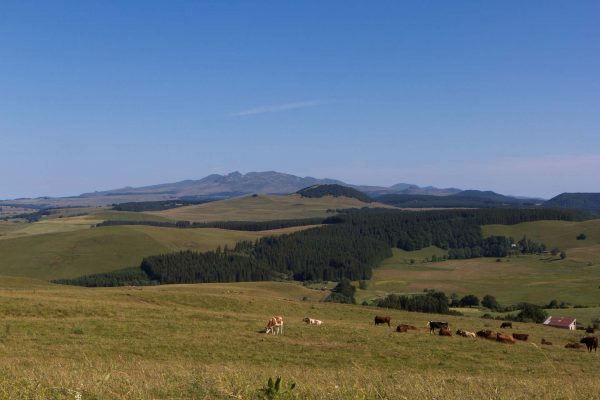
<point x="531" y="278"/>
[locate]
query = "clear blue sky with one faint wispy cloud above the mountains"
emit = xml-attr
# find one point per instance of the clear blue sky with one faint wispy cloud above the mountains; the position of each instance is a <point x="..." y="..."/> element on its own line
<point x="500" y="95"/>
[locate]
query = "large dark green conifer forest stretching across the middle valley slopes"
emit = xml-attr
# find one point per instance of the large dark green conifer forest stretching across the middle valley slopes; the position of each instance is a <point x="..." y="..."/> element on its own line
<point x="349" y="246"/>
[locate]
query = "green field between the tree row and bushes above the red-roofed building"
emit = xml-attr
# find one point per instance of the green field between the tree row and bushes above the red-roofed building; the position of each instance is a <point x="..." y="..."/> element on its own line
<point x="533" y="279"/>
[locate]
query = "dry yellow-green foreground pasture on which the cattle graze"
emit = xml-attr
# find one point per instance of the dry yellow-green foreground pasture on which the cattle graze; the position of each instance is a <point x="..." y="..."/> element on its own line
<point x="206" y="341"/>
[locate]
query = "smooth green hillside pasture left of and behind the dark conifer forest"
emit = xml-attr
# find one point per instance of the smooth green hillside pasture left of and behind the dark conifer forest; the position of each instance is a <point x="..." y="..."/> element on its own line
<point x="87" y="251"/>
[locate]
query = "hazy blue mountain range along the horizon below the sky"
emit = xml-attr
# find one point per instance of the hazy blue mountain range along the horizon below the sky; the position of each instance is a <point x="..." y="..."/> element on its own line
<point x="235" y="184"/>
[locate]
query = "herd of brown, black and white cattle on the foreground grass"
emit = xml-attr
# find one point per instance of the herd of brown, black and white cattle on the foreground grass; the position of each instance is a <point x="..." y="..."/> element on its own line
<point x="275" y="326"/>
